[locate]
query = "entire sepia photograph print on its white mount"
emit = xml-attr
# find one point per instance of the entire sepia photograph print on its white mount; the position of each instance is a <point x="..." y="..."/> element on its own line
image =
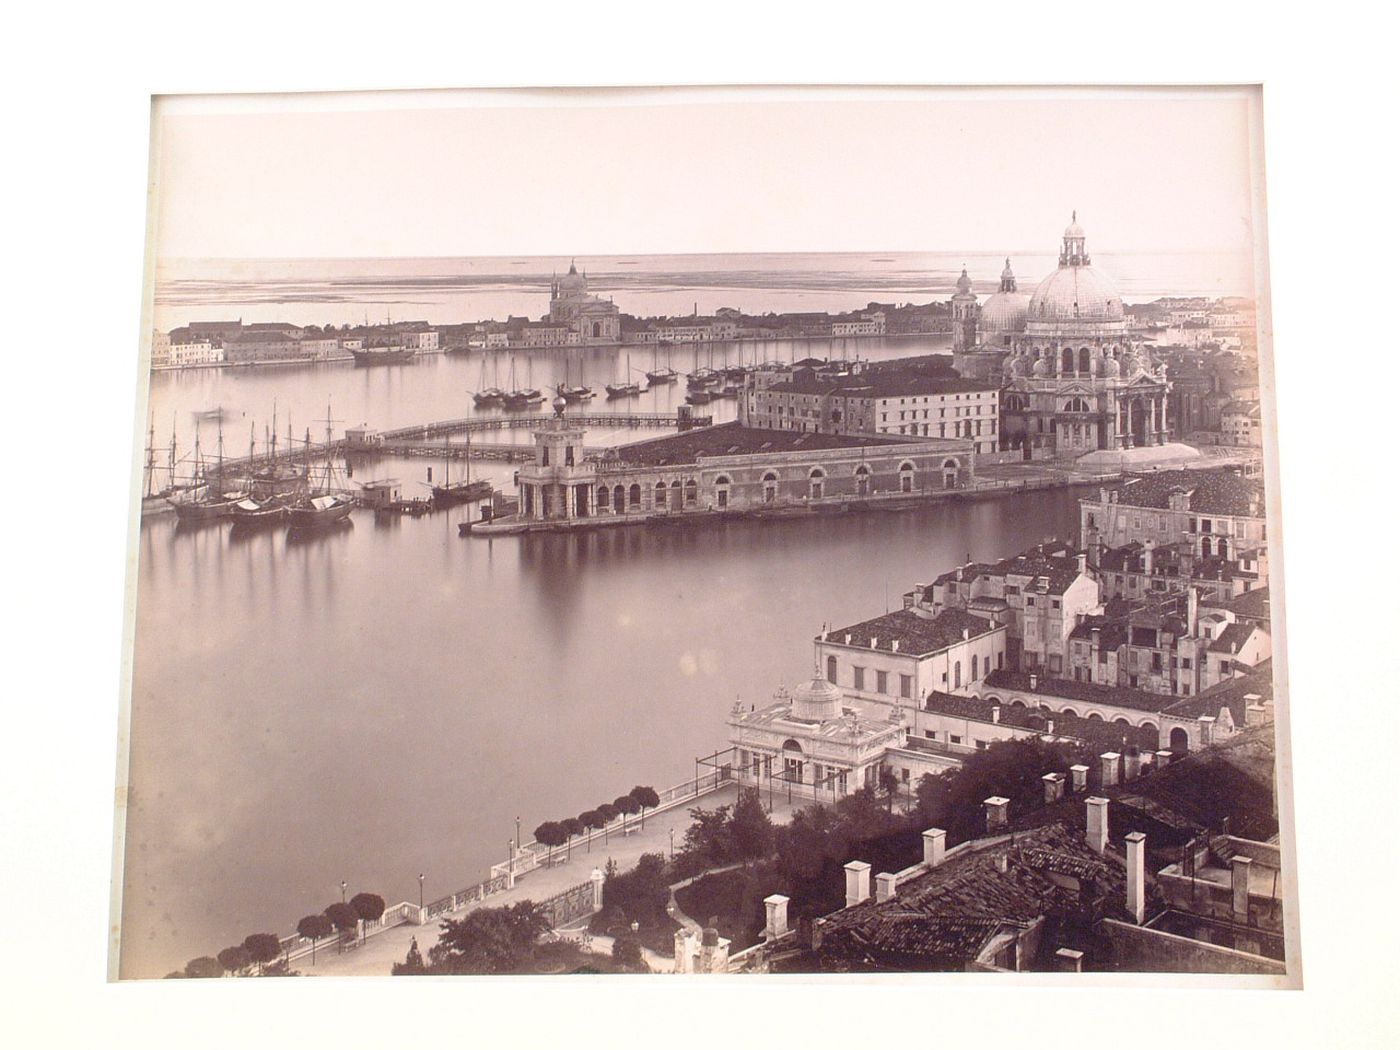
<point x="708" y="531"/>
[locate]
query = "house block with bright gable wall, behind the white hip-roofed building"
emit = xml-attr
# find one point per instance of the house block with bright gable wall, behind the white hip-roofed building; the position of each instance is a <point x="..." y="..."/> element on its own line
<point x="1041" y="596"/>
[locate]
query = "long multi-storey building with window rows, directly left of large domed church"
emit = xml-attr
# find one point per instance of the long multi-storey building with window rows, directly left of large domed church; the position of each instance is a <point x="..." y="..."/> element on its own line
<point x="876" y="401"/>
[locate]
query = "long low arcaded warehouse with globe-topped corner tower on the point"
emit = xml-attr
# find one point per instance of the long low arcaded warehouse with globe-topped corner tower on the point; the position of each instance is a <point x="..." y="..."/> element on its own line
<point x="727" y="468"/>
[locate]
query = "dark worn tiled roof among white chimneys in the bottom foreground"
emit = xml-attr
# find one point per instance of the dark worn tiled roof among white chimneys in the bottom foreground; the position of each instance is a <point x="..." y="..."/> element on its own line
<point x="948" y="915"/>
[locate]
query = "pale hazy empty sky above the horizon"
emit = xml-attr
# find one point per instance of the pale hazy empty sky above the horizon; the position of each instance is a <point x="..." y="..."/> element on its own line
<point x="611" y="173"/>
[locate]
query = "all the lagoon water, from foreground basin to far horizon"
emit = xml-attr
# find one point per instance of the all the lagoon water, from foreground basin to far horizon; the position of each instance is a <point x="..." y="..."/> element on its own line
<point x="387" y="699"/>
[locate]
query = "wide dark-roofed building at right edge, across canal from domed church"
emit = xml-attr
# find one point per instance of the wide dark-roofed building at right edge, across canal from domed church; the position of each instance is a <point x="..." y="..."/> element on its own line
<point x="1219" y="512"/>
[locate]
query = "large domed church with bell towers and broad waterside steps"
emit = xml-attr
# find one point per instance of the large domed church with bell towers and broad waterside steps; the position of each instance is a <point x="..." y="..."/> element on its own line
<point x="1074" y="381"/>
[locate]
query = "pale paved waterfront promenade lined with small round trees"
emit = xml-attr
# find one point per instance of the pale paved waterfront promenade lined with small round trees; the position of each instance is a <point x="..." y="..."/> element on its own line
<point x="380" y="951"/>
